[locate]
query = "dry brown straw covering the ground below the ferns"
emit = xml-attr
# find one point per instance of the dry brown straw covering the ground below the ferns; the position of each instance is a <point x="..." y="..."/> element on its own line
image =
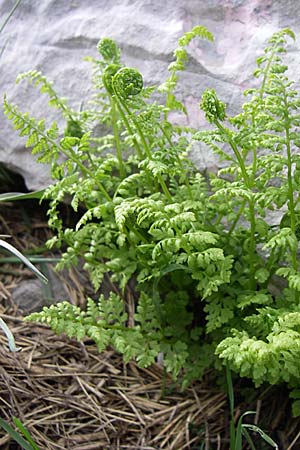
<point x="71" y="397"/>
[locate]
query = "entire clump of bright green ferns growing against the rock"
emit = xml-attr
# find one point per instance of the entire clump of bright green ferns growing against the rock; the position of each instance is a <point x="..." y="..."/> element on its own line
<point x="203" y="250"/>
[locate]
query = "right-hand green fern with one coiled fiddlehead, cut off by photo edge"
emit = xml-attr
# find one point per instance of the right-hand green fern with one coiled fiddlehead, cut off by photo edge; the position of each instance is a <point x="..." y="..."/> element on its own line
<point x="263" y="343"/>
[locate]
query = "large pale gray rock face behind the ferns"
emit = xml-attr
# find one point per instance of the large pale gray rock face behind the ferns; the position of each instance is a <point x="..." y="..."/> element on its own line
<point x="54" y="36"/>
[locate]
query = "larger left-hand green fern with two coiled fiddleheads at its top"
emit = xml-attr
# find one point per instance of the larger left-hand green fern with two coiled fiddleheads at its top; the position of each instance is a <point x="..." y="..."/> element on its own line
<point x="145" y="213"/>
